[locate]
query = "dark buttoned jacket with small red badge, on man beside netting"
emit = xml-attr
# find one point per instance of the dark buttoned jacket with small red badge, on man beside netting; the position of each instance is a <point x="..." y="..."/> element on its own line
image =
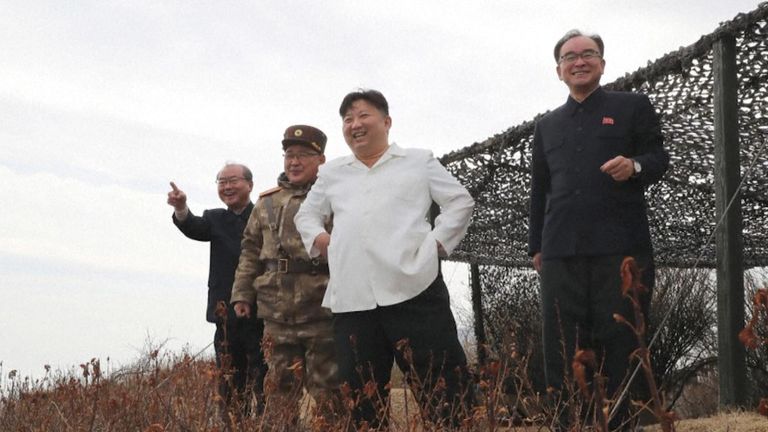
<point x="577" y="210"/>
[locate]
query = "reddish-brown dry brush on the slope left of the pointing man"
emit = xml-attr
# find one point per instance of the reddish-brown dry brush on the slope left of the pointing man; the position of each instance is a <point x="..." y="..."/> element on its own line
<point x="171" y="392"/>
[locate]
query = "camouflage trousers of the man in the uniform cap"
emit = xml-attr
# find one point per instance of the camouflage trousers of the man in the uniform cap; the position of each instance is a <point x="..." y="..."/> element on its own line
<point x="300" y="356"/>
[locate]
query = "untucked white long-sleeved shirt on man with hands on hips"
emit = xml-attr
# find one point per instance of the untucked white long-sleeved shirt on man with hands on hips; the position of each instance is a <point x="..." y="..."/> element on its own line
<point x="383" y="250"/>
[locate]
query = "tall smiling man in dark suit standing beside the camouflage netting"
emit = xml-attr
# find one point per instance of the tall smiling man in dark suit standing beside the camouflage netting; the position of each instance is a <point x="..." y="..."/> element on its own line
<point x="592" y="160"/>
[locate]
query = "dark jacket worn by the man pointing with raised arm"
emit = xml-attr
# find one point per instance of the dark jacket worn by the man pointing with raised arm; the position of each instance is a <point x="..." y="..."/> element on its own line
<point x="224" y="229"/>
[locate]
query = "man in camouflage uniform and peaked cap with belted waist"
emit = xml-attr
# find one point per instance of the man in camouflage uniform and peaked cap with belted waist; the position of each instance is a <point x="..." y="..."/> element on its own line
<point x="276" y="271"/>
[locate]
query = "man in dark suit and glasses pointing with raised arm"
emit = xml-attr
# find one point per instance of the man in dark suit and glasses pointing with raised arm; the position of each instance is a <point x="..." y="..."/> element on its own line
<point x="237" y="341"/>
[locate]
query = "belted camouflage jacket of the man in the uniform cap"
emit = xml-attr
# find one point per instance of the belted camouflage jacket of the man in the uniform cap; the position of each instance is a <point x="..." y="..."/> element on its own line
<point x="287" y="298"/>
